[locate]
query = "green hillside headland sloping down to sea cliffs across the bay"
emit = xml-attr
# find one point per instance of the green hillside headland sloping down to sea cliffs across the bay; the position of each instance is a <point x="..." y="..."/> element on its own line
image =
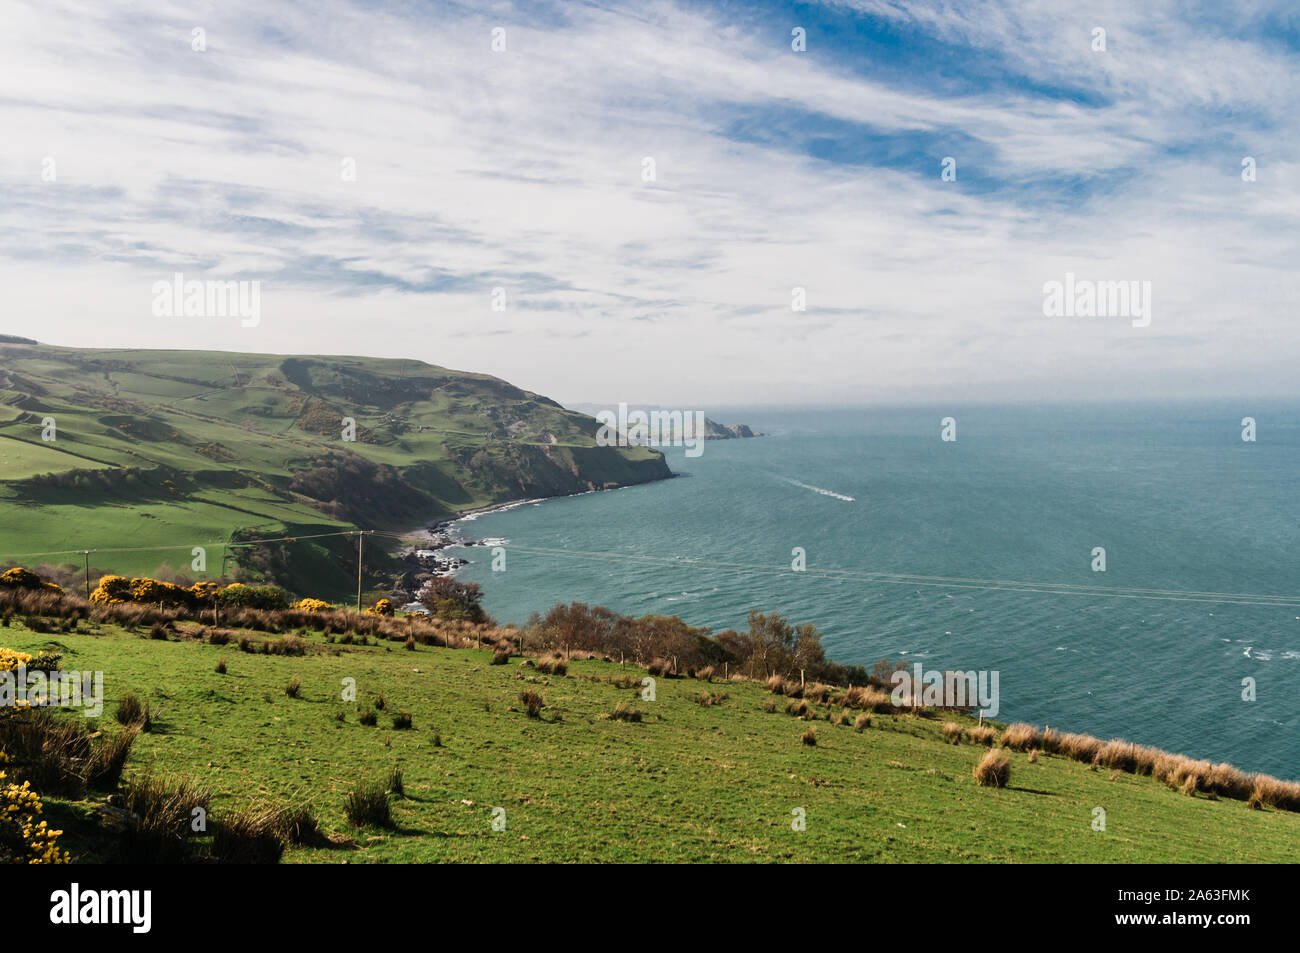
<point x="158" y="452"/>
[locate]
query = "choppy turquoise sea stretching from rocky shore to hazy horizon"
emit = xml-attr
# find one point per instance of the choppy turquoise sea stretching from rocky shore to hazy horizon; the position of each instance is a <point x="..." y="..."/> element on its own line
<point x="1024" y="495"/>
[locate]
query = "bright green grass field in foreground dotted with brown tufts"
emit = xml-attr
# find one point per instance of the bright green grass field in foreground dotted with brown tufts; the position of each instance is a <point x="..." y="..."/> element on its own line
<point x="688" y="783"/>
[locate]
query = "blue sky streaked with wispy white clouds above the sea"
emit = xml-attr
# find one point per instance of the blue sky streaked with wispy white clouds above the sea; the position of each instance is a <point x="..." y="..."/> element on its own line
<point x="504" y="216"/>
